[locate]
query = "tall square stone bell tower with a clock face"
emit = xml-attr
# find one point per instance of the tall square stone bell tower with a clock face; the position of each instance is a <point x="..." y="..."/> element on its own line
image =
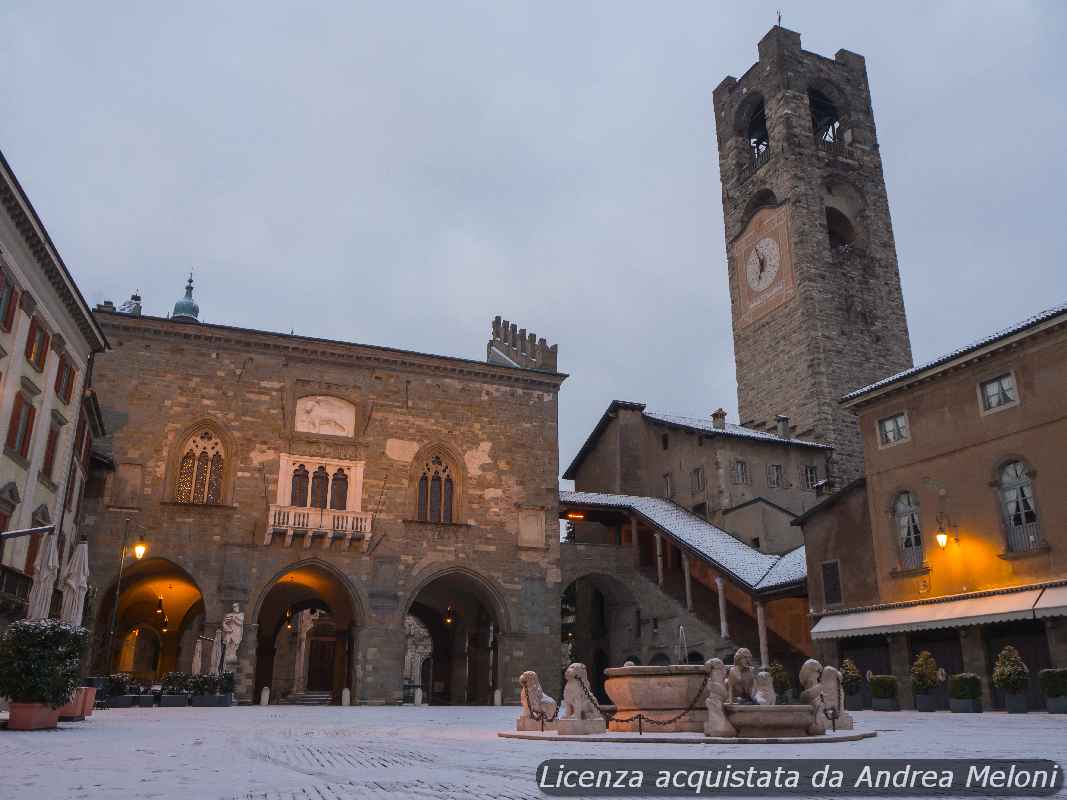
<point x="815" y="287"/>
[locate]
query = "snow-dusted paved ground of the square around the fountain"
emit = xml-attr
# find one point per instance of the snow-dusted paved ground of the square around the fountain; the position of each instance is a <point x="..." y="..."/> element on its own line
<point x="333" y="754"/>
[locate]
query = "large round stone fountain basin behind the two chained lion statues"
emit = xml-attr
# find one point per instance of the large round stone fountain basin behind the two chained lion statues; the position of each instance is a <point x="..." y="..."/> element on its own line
<point x="660" y="694"/>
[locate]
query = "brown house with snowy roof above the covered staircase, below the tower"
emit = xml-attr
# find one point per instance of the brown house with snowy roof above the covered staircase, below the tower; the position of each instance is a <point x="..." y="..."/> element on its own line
<point x="751" y="483"/>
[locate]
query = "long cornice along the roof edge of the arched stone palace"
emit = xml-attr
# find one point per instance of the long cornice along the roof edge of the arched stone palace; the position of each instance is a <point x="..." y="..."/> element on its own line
<point x="331" y="351"/>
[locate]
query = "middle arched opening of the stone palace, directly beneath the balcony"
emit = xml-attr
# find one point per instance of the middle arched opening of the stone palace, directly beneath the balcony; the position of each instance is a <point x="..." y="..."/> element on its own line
<point x="307" y="636"/>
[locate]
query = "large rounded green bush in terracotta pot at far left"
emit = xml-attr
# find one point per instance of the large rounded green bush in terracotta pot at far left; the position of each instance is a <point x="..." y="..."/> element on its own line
<point x="40" y="666"/>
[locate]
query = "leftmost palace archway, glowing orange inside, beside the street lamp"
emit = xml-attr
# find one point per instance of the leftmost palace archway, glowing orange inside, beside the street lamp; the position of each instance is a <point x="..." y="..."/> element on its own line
<point x="161" y="614"/>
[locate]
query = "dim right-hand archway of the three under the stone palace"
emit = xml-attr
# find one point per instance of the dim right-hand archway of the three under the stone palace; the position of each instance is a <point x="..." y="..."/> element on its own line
<point x="464" y="619"/>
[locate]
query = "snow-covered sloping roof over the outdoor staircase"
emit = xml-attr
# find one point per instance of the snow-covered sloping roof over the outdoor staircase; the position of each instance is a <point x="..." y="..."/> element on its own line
<point x="759" y="571"/>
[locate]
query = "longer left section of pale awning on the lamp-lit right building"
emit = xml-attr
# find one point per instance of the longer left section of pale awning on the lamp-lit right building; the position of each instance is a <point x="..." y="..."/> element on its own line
<point x="927" y="616"/>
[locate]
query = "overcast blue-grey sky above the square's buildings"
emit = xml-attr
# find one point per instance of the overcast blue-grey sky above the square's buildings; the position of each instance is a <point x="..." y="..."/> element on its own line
<point x="400" y="173"/>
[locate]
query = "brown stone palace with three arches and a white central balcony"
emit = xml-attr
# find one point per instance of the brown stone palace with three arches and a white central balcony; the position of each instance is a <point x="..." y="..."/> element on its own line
<point x="362" y="485"/>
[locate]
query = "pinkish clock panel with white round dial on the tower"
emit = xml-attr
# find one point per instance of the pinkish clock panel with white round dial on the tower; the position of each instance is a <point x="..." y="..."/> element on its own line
<point x="762" y="261"/>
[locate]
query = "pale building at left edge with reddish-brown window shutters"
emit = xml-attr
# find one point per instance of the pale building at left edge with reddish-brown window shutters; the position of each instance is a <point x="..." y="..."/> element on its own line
<point x="49" y="417"/>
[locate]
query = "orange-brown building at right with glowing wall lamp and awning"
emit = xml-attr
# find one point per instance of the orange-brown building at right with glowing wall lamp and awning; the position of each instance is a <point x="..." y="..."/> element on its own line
<point x="952" y="542"/>
